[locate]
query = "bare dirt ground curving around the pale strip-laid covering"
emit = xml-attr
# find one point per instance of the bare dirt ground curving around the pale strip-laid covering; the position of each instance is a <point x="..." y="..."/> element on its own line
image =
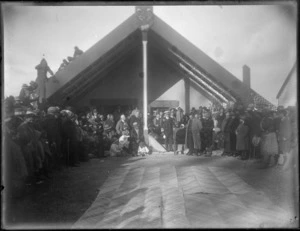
<point x="61" y="201"/>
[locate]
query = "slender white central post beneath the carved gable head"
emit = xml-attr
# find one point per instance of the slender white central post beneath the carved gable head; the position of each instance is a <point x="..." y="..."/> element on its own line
<point x="145" y="87"/>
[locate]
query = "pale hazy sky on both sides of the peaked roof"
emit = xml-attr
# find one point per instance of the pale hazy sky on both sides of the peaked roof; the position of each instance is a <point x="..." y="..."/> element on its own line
<point x="260" y="36"/>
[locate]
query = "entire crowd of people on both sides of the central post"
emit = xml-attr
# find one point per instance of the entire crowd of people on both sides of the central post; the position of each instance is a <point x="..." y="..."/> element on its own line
<point x="40" y="140"/>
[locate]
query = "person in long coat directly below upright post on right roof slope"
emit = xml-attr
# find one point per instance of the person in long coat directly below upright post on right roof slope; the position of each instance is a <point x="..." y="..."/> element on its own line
<point x="242" y="139"/>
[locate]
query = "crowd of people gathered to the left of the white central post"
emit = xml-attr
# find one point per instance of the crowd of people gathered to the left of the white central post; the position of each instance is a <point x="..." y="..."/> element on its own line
<point x="39" y="141"/>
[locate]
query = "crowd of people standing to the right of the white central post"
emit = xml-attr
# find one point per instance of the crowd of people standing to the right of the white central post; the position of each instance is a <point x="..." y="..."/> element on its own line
<point x="242" y="133"/>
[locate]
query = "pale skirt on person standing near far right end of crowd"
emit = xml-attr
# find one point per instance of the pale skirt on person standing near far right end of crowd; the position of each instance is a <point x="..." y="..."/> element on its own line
<point x="269" y="144"/>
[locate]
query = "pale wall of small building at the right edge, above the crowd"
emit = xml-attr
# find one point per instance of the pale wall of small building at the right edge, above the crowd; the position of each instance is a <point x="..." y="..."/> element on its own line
<point x="287" y="95"/>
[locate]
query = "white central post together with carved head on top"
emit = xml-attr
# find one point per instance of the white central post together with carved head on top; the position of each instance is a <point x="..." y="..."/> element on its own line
<point x="145" y="20"/>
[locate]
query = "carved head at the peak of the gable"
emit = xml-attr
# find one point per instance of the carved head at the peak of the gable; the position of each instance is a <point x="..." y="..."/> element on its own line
<point x="145" y="17"/>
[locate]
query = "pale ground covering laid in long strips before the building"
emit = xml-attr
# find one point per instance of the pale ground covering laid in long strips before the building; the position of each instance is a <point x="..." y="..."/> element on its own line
<point x="154" y="192"/>
